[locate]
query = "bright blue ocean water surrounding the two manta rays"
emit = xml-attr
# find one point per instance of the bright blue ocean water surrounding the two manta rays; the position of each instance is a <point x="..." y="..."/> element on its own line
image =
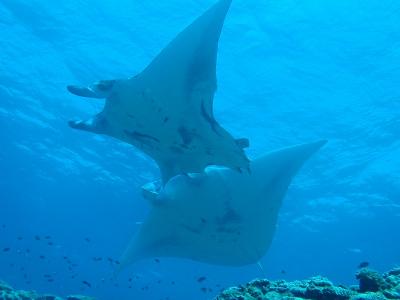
<point x="288" y="71"/>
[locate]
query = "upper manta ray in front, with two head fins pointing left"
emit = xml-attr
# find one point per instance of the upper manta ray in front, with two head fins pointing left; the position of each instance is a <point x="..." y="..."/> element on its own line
<point x="167" y="110"/>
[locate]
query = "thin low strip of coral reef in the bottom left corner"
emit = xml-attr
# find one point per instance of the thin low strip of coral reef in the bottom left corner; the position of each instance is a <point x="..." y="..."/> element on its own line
<point x="8" y="293"/>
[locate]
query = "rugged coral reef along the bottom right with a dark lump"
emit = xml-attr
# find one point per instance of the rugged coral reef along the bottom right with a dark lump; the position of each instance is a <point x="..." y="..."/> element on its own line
<point x="372" y="285"/>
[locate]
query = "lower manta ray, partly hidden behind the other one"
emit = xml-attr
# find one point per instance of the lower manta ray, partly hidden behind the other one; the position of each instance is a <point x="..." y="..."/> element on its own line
<point x="219" y="217"/>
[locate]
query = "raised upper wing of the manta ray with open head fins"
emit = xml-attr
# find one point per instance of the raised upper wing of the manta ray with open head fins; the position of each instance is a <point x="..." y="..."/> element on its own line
<point x="187" y="66"/>
